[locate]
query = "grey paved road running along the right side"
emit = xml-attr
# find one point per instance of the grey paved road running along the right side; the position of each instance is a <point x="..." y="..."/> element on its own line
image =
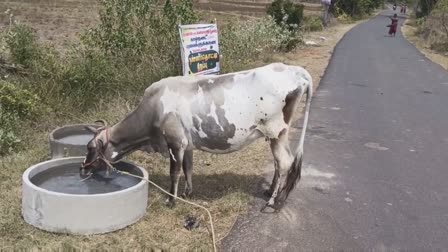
<point x="376" y="156"/>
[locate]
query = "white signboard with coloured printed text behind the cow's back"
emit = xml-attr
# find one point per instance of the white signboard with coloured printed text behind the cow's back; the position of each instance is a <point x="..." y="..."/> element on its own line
<point x="199" y="49"/>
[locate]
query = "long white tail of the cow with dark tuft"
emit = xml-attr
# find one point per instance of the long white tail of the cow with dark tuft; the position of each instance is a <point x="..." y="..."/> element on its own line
<point x="294" y="171"/>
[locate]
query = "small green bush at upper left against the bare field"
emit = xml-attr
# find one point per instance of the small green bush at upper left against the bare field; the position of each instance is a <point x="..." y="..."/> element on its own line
<point x="22" y="44"/>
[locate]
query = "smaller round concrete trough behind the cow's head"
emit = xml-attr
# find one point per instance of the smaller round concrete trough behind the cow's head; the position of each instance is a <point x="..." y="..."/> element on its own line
<point x="70" y="140"/>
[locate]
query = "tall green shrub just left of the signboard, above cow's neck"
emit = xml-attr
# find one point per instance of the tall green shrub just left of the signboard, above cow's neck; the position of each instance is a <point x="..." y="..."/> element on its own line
<point x="134" y="44"/>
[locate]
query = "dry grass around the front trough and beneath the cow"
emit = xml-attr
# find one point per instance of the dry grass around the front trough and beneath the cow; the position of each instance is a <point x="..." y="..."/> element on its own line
<point x="221" y="184"/>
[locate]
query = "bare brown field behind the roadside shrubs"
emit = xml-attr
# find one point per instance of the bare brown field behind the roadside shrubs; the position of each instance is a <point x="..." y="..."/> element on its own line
<point x="60" y="22"/>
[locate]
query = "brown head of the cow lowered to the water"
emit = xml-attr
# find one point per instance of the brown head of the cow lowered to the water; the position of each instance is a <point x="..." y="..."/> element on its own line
<point x="99" y="149"/>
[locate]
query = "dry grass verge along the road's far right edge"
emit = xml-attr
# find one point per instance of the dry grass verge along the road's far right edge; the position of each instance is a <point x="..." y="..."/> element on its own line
<point x="410" y="31"/>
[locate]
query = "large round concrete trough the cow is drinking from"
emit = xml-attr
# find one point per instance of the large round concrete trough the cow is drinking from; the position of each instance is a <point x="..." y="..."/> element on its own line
<point x="54" y="197"/>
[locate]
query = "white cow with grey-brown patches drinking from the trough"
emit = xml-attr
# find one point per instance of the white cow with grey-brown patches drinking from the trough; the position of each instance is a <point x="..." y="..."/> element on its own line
<point x="216" y="114"/>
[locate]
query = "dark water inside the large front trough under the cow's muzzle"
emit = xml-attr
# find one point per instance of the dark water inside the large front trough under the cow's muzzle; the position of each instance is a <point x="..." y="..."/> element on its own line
<point x="66" y="179"/>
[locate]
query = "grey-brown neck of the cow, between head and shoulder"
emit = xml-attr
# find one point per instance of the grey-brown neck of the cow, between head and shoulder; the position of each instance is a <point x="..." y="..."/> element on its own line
<point x="132" y="132"/>
